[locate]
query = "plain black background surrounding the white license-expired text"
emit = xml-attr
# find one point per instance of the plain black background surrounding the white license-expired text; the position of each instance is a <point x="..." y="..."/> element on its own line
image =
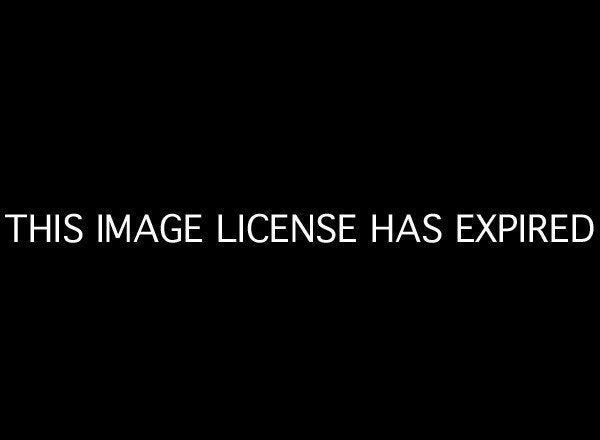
<point x="368" y="113"/>
